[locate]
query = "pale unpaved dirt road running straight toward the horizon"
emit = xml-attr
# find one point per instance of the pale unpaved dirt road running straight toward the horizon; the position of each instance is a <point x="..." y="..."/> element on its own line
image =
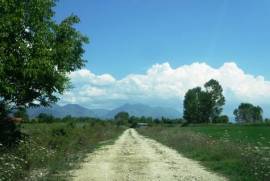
<point x="134" y="157"/>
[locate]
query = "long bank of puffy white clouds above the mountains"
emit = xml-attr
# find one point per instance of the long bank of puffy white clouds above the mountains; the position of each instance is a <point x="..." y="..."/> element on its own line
<point x="163" y="85"/>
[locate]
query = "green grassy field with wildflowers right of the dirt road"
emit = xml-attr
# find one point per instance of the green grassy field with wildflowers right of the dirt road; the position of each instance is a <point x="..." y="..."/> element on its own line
<point x="238" y="152"/>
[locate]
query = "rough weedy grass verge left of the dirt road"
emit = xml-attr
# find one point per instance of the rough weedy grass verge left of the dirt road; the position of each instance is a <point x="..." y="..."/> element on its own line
<point x="51" y="149"/>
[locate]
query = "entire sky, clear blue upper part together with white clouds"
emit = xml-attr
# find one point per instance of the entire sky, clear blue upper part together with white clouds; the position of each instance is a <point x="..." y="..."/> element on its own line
<point x="137" y="44"/>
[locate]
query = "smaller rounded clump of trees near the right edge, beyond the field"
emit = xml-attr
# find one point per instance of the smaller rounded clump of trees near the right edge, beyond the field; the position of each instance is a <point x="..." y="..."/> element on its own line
<point x="248" y="113"/>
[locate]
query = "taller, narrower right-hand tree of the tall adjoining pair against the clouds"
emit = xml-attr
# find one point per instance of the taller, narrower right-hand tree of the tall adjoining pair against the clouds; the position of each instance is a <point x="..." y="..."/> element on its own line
<point x="214" y="89"/>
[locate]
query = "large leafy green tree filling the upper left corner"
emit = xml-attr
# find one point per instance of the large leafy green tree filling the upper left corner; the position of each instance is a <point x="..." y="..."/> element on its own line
<point x="36" y="53"/>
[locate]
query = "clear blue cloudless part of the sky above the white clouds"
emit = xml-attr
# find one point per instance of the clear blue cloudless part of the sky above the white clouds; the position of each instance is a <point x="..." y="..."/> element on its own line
<point x="129" y="36"/>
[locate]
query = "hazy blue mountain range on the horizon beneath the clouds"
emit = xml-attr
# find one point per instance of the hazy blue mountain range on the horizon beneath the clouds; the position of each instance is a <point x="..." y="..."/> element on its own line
<point x="79" y="111"/>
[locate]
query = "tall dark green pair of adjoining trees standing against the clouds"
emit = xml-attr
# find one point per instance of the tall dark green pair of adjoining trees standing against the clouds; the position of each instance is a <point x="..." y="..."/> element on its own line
<point x="204" y="106"/>
